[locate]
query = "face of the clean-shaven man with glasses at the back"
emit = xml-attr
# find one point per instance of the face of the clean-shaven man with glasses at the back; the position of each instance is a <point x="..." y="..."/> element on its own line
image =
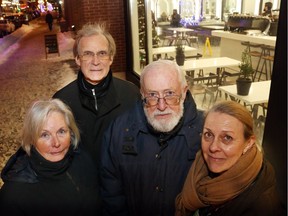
<point x="95" y="68"/>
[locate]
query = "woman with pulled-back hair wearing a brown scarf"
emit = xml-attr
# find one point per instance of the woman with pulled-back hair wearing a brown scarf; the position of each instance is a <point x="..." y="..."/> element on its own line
<point x="230" y="176"/>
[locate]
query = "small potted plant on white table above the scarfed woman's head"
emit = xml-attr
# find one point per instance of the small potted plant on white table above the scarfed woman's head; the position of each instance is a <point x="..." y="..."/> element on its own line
<point x="246" y="71"/>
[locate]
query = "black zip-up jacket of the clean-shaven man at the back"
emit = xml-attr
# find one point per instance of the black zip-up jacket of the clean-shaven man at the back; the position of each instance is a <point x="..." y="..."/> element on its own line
<point x="118" y="96"/>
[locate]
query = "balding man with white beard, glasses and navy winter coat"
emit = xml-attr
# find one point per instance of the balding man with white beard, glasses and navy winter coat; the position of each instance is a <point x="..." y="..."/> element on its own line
<point x="148" y="150"/>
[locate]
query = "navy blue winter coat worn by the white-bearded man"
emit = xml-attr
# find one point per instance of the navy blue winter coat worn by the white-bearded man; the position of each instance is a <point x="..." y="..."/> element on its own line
<point x="142" y="172"/>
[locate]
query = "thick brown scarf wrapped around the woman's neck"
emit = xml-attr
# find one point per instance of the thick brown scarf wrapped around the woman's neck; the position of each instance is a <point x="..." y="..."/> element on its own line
<point x="200" y="190"/>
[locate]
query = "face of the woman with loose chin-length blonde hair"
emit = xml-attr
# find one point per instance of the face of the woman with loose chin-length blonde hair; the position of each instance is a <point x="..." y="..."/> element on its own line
<point x="54" y="140"/>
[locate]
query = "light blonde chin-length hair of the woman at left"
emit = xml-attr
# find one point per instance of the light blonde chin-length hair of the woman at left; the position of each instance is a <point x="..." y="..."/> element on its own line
<point x="36" y="117"/>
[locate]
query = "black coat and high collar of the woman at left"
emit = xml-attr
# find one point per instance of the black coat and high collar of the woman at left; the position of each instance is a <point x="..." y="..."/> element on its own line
<point x="35" y="186"/>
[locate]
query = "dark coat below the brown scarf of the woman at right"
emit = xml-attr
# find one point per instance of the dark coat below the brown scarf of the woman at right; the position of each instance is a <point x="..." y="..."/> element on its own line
<point x="260" y="198"/>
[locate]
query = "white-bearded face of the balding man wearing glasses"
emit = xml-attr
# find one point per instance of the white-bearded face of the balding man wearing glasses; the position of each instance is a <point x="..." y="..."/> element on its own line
<point x="162" y="116"/>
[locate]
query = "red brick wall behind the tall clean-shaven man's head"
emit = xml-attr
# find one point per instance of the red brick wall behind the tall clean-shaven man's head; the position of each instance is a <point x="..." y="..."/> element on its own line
<point x="79" y="12"/>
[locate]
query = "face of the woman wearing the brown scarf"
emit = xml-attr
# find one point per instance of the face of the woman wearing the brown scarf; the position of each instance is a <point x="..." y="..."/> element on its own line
<point x="223" y="141"/>
